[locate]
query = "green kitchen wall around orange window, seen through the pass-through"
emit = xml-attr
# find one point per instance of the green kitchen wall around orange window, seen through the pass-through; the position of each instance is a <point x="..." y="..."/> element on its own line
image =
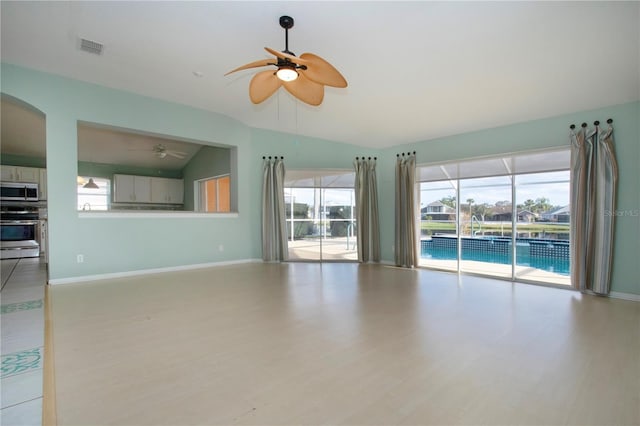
<point x="208" y="162"/>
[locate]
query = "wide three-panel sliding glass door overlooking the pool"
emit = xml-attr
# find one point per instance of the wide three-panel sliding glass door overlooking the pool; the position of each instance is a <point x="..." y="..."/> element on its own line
<point x="504" y="217"/>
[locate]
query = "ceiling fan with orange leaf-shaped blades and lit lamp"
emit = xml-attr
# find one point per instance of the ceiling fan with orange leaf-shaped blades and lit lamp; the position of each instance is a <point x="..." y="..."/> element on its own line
<point x="304" y="76"/>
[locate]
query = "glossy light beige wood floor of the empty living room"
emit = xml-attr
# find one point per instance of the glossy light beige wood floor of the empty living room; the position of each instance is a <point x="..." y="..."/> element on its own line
<point x="272" y="344"/>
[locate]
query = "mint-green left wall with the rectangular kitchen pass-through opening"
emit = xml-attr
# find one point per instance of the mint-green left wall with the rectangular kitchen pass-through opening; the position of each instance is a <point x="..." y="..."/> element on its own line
<point x="120" y="244"/>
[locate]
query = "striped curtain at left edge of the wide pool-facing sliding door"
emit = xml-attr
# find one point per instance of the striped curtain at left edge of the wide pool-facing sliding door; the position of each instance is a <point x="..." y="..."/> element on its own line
<point x="406" y="253"/>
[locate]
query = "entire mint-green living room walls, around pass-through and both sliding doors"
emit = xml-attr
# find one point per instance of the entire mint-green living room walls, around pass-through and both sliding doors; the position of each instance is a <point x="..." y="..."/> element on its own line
<point x="119" y="244"/>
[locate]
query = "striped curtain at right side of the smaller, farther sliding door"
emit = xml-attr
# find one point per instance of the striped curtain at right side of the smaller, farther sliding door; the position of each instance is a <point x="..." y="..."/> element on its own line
<point x="367" y="215"/>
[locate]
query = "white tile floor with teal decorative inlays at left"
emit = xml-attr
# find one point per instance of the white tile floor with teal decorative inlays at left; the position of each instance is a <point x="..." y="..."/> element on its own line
<point x="22" y="298"/>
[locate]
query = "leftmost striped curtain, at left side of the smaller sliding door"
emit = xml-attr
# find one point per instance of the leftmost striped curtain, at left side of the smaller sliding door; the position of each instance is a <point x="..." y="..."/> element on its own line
<point x="274" y="230"/>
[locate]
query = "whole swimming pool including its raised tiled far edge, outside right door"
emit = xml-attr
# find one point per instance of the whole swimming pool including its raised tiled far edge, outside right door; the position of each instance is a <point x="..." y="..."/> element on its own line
<point x="485" y="252"/>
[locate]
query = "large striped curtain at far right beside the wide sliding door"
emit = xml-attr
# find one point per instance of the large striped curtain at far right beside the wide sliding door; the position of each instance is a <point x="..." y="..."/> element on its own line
<point x="594" y="175"/>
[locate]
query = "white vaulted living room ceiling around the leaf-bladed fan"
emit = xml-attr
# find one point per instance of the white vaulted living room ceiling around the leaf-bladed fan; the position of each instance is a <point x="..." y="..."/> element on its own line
<point x="416" y="70"/>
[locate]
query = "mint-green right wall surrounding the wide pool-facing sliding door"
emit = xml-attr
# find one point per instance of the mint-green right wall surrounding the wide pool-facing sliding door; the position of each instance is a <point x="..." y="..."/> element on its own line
<point x="532" y="135"/>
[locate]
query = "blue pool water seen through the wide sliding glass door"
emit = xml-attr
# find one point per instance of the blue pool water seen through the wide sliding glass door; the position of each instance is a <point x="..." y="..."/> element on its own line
<point x="523" y="257"/>
